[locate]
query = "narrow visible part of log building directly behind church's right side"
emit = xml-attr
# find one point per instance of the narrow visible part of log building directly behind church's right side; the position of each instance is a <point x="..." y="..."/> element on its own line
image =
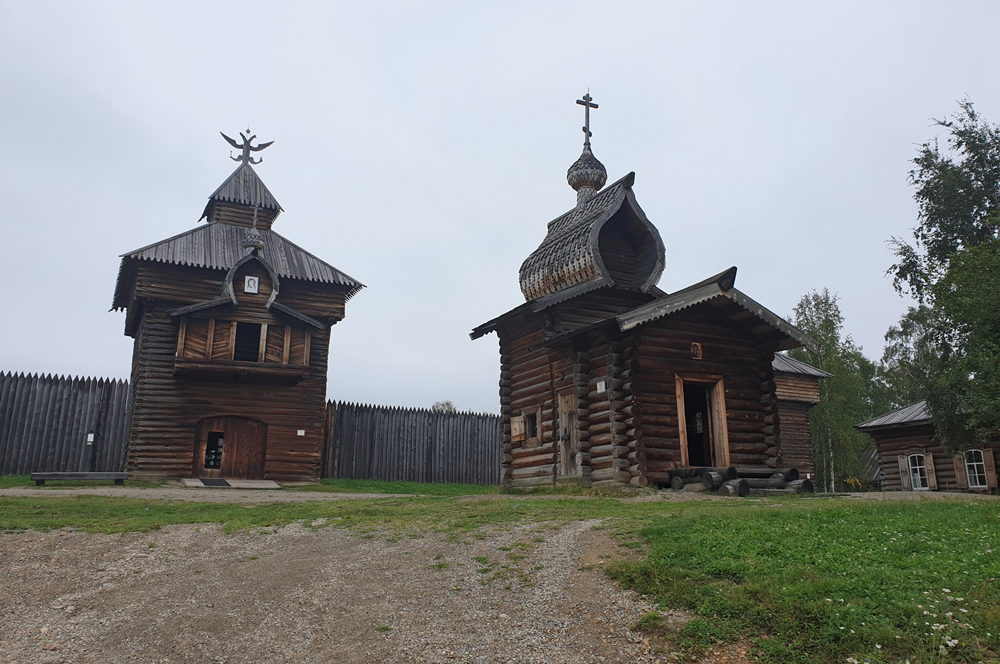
<point x="797" y="388"/>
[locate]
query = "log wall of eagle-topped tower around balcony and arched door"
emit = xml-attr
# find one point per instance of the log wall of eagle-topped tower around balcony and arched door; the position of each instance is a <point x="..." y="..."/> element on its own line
<point x="166" y="409"/>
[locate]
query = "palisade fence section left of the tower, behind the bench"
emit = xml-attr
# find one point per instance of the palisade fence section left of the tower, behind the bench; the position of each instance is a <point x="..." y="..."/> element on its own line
<point x="45" y="420"/>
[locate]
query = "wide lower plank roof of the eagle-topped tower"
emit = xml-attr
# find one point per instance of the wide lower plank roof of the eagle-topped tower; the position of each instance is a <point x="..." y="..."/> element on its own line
<point x="218" y="246"/>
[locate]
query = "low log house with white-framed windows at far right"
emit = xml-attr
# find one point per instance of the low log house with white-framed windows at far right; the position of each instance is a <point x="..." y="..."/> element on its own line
<point x="913" y="459"/>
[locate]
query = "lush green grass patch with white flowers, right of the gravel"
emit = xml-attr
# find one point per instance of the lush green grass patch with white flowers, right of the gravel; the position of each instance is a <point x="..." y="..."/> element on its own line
<point x="821" y="582"/>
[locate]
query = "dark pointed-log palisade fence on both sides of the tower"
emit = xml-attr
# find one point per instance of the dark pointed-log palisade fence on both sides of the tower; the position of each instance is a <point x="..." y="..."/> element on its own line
<point x="45" y="423"/>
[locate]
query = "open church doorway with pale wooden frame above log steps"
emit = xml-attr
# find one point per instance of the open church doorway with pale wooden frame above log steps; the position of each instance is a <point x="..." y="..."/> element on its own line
<point x="702" y="425"/>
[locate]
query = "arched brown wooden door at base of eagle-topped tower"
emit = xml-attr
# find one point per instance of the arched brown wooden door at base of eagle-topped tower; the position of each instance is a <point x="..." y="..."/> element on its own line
<point x="230" y="448"/>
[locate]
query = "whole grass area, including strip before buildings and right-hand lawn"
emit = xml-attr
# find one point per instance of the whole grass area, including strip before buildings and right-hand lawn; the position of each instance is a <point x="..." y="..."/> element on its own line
<point x="808" y="580"/>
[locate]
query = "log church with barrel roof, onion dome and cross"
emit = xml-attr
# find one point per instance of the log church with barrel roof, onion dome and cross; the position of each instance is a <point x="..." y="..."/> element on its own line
<point x="606" y="379"/>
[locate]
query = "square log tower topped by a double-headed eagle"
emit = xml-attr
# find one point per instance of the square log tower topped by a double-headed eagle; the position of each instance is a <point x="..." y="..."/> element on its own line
<point x="231" y="323"/>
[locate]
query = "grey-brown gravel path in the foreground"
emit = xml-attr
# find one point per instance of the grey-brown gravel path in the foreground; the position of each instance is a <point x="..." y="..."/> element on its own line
<point x="193" y="594"/>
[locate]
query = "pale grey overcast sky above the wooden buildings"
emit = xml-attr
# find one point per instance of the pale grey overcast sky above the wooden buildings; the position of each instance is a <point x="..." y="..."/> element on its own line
<point x="421" y="147"/>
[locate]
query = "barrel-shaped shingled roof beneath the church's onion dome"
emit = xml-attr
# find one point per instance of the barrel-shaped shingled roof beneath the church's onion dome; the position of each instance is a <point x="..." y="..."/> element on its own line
<point x="568" y="262"/>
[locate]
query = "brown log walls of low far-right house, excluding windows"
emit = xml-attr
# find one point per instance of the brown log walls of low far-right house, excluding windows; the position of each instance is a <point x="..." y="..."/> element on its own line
<point x="921" y="439"/>
